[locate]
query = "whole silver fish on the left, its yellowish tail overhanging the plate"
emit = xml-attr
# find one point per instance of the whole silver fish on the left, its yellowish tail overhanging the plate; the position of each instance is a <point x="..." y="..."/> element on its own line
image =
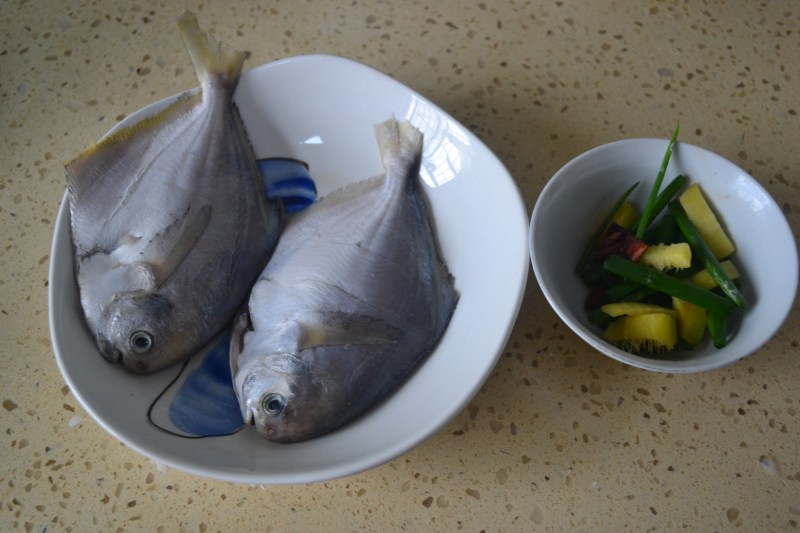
<point x="170" y="223"/>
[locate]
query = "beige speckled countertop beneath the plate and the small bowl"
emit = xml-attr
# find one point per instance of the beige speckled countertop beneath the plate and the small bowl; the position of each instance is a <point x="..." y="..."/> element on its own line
<point x="560" y="438"/>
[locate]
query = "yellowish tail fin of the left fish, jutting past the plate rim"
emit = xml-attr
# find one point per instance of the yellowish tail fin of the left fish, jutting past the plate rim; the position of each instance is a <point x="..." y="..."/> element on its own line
<point x="211" y="59"/>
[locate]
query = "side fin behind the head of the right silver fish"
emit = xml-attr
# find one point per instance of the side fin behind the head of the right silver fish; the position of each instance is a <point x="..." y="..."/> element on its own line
<point x="337" y="328"/>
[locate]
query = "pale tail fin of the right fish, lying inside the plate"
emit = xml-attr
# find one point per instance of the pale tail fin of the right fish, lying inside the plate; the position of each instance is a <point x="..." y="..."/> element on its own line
<point x="400" y="145"/>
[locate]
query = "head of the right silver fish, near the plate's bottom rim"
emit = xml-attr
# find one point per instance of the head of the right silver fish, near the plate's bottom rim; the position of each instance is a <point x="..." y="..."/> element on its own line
<point x="280" y="397"/>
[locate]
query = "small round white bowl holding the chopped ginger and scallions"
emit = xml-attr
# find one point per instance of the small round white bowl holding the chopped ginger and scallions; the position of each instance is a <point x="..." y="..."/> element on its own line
<point x="580" y="194"/>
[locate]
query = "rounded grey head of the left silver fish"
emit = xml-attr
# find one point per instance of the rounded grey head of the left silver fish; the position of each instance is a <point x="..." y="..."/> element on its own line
<point x="137" y="330"/>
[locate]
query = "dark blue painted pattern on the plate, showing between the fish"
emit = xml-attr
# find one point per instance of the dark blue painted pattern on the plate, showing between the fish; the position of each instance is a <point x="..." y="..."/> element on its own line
<point x="206" y="403"/>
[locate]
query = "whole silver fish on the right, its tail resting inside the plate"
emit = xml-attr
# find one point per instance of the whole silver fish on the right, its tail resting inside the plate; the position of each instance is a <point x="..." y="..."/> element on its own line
<point x="354" y="297"/>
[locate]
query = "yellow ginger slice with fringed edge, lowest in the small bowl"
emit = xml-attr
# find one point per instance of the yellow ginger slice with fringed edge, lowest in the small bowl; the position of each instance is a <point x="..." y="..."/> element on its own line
<point x="651" y="332"/>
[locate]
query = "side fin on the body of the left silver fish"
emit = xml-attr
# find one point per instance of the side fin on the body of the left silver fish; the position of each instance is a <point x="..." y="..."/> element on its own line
<point x="167" y="250"/>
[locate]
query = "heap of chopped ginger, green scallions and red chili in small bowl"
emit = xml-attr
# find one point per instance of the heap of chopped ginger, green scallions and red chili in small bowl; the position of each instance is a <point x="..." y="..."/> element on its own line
<point x="656" y="282"/>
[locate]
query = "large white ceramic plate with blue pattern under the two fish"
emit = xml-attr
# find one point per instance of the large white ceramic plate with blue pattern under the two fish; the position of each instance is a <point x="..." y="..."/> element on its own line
<point x="321" y="110"/>
